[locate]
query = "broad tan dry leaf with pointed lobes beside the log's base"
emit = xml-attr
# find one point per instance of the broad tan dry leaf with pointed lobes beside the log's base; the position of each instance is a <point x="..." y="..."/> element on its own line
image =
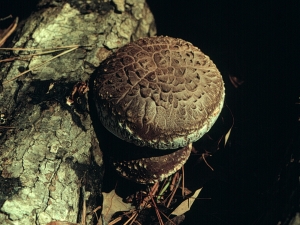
<point x="112" y="203"/>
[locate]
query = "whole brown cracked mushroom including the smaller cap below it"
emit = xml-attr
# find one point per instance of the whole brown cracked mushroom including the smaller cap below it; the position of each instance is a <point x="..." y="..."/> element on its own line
<point x="159" y="93"/>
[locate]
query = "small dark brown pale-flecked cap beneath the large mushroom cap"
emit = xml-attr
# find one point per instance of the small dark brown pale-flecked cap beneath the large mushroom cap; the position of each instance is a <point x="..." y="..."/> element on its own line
<point x="153" y="169"/>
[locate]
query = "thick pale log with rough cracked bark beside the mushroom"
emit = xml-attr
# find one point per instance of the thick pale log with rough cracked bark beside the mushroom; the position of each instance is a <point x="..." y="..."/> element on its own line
<point x="50" y="158"/>
